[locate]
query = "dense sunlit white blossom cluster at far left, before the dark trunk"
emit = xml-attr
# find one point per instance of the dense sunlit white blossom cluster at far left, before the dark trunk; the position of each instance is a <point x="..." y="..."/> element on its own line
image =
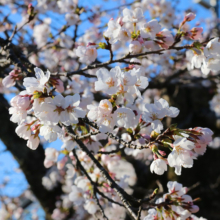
<point x="48" y="110"/>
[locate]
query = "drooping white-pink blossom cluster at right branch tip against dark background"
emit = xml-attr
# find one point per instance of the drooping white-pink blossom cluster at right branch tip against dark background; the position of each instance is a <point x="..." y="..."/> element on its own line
<point x="185" y="145"/>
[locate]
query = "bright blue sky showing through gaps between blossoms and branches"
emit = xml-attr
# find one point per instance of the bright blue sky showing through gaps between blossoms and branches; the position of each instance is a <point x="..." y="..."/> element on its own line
<point x="8" y="166"/>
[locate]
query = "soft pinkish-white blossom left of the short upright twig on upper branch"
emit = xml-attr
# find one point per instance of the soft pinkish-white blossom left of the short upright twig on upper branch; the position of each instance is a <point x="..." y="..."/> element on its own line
<point x="86" y="54"/>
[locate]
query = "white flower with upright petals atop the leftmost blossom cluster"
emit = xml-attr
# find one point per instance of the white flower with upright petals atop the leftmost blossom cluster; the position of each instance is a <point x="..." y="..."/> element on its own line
<point x="33" y="84"/>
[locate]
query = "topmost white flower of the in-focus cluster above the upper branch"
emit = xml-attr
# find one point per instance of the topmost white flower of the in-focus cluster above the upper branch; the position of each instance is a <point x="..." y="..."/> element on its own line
<point x="133" y="16"/>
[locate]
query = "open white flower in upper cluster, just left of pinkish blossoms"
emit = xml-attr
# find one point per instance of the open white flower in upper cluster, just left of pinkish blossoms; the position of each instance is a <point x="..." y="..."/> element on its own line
<point x="150" y="29"/>
